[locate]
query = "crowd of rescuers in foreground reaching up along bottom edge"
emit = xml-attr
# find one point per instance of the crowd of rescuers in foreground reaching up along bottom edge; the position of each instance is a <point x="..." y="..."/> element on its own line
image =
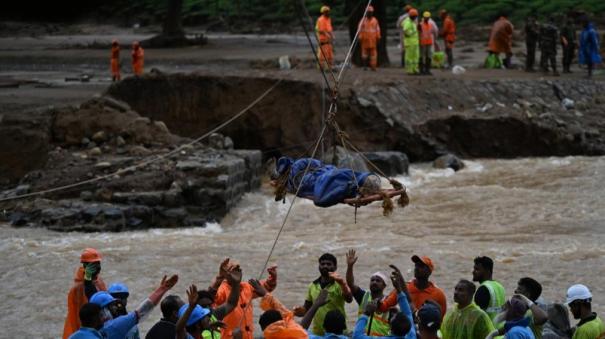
<point x="413" y="309"/>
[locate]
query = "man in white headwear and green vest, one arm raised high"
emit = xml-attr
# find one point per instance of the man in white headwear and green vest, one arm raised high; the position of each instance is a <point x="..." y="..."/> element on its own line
<point x="379" y="326"/>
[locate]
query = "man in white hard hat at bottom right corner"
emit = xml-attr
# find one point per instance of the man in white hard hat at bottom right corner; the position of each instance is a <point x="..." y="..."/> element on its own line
<point x="579" y="300"/>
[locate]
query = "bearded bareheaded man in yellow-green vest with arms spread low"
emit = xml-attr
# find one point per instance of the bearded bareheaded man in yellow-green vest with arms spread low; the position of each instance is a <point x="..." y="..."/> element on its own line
<point x="338" y="293"/>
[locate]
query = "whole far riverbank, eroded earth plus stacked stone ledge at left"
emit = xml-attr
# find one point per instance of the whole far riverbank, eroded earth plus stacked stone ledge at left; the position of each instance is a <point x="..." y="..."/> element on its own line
<point x="104" y="138"/>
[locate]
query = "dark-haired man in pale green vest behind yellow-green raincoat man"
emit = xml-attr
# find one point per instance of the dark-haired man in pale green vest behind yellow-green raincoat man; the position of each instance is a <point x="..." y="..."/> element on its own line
<point x="490" y="295"/>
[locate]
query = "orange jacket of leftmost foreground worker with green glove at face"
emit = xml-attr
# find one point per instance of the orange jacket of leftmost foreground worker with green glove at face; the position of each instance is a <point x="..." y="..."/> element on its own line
<point x="75" y="300"/>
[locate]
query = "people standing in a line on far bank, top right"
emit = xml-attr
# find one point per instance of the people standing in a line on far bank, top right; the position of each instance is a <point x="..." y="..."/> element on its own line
<point x="420" y="35"/>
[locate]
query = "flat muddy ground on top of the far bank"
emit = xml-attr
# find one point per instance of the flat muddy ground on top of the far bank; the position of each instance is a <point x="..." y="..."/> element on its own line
<point x="40" y="59"/>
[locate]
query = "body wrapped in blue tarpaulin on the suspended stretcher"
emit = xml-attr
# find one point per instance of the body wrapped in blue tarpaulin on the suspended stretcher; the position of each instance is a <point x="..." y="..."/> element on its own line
<point x="326" y="185"/>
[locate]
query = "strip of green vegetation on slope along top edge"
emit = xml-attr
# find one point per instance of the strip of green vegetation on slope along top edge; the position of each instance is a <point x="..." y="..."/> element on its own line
<point x="242" y="15"/>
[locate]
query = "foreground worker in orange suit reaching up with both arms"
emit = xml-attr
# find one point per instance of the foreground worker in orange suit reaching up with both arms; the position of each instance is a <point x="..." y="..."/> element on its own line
<point x="242" y="316"/>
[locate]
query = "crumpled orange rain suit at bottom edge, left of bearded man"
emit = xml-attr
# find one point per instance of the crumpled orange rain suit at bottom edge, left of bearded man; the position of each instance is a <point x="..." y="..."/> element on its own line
<point x="285" y="328"/>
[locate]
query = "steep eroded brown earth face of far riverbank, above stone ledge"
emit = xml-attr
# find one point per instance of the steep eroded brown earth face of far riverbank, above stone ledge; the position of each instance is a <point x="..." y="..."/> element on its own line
<point x="422" y="117"/>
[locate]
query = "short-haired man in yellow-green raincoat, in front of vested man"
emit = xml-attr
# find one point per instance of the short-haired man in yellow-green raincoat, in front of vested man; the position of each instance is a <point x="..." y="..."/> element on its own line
<point x="465" y="319"/>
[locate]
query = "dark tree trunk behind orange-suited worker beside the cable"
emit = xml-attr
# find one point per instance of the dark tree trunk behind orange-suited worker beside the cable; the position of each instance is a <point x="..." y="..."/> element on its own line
<point x="354" y="10"/>
